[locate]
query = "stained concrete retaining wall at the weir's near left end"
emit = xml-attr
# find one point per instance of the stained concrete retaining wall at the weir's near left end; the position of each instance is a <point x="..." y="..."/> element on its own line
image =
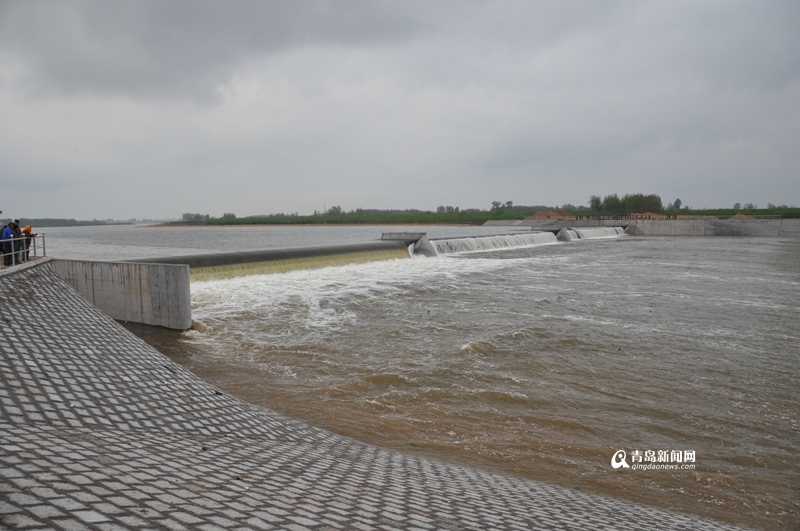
<point x="152" y="294"/>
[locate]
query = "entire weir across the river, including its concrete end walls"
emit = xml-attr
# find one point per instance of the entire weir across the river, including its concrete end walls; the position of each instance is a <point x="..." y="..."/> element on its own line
<point x="156" y="291"/>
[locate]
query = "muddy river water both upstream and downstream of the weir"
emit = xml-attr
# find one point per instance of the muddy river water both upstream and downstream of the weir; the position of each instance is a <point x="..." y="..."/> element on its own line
<point x="530" y="357"/>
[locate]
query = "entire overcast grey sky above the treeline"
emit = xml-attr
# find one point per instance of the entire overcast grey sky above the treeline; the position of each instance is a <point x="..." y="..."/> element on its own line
<point x="149" y="109"/>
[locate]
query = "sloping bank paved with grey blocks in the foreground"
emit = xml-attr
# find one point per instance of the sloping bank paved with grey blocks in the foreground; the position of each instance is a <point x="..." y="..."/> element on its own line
<point x="100" y="431"/>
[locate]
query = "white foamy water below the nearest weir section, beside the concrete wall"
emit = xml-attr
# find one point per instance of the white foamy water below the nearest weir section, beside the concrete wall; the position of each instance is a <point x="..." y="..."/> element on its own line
<point x="288" y="308"/>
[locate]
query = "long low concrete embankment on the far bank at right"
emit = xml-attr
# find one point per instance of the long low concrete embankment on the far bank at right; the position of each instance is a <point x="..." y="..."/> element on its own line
<point x="787" y="228"/>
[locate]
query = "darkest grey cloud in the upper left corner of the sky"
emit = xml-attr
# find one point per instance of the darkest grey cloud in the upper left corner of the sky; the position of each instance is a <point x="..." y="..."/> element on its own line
<point x="178" y="48"/>
